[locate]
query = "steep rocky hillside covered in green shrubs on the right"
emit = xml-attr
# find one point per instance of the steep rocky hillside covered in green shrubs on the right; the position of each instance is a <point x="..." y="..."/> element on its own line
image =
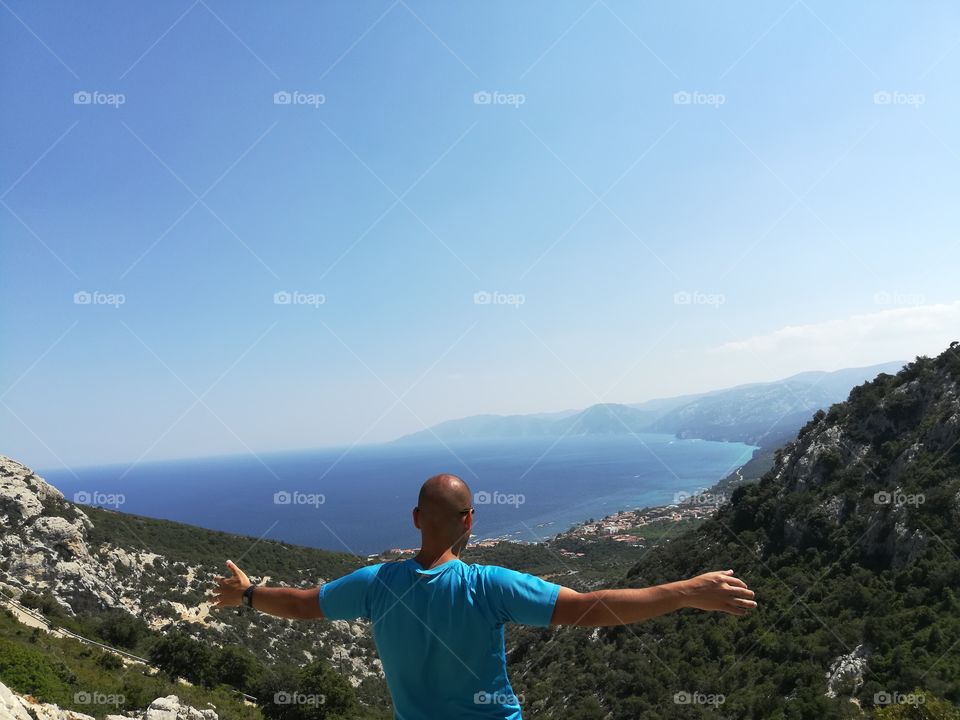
<point x="851" y="544"/>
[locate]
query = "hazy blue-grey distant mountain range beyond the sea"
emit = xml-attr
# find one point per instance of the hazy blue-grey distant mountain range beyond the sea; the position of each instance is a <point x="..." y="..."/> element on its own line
<point x="765" y="414"/>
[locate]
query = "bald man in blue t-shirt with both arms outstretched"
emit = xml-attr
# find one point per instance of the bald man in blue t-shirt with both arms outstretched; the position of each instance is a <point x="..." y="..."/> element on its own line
<point x="438" y="622"/>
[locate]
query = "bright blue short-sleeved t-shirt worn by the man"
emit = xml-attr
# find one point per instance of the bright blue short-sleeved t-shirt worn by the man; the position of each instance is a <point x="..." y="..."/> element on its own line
<point x="439" y="632"/>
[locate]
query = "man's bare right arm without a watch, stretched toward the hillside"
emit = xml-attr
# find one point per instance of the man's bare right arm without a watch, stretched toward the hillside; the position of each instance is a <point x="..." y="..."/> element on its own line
<point x="718" y="591"/>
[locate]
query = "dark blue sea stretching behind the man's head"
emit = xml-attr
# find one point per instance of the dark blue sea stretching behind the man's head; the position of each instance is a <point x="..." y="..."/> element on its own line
<point x="359" y="500"/>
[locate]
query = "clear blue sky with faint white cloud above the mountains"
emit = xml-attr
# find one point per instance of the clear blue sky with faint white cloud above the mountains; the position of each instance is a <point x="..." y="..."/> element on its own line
<point x="244" y="227"/>
